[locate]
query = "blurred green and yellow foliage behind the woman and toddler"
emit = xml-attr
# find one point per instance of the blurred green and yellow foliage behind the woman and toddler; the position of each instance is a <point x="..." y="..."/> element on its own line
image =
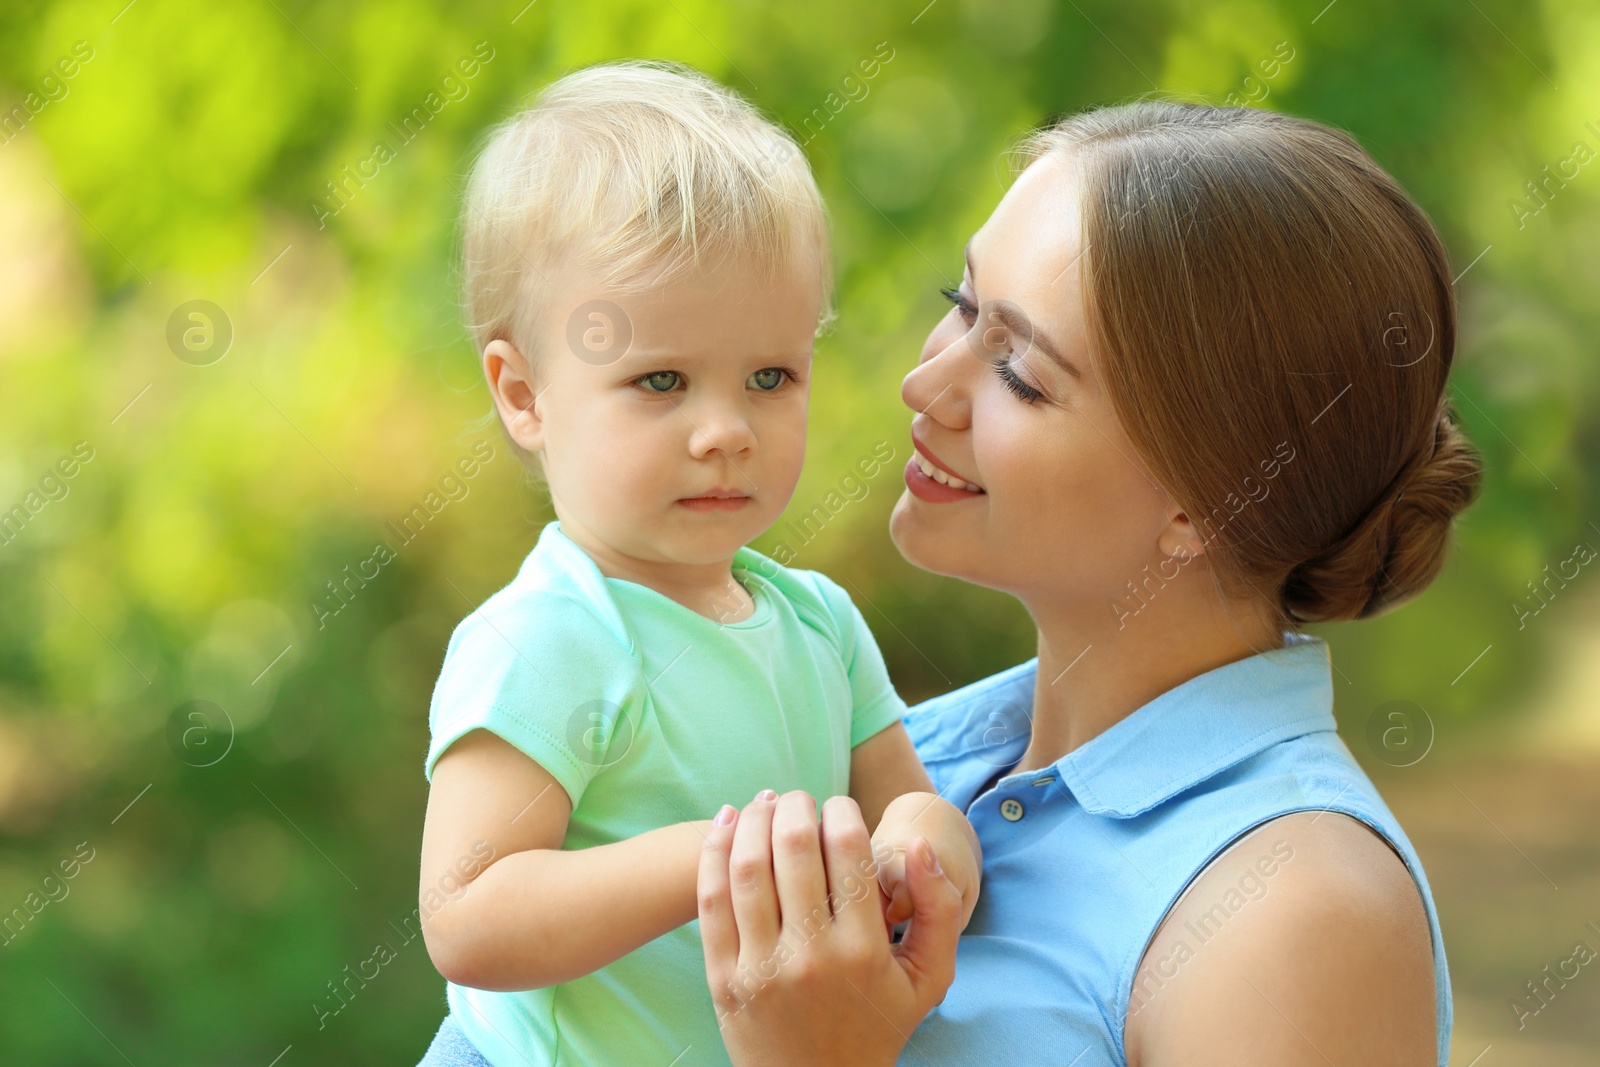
<point x="186" y="159"/>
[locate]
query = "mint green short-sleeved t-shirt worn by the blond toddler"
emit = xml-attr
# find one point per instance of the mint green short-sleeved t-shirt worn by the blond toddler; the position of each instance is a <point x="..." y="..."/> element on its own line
<point x="649" y="714"/>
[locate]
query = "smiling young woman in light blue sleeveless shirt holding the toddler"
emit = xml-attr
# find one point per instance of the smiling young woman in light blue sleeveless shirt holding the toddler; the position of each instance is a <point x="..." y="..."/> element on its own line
<point x="1191" y="396"/>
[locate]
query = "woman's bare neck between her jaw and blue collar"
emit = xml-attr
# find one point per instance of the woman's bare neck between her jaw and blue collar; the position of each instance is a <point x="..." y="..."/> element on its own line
<point x="1097" y="669"/>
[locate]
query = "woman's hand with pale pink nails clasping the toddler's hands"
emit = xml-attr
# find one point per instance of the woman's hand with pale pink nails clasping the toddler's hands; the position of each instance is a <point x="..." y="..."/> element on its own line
<point x="798" y="957"/>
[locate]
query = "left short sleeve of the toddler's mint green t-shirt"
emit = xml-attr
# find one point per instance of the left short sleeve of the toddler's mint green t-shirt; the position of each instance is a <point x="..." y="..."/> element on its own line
<point x="543" y="673"/>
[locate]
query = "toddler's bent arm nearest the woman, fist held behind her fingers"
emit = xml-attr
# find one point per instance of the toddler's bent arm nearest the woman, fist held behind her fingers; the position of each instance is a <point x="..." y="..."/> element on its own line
<point x="895" y="794"/>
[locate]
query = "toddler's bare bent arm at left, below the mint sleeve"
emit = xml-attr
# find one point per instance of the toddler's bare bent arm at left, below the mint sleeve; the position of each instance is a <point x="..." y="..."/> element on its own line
<point x="530" y="914"/>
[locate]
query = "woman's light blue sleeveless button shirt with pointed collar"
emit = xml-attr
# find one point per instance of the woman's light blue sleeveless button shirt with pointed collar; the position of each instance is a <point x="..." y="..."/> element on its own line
<point x="1082" y="860"/>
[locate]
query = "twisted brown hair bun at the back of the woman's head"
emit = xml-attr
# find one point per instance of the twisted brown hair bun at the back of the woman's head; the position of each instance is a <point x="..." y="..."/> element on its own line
<point x="1398" y="548"/>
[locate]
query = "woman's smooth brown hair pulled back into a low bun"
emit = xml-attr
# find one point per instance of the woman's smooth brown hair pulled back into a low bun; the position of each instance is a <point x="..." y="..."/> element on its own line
<point x="1274" y="321"/>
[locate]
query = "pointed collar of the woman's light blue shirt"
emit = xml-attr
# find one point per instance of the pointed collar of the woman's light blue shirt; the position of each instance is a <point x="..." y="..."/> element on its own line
<point x="1180" y="740"/>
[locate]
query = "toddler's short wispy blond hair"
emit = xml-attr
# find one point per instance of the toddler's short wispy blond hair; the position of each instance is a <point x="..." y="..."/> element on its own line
<point x="641" y="172"/>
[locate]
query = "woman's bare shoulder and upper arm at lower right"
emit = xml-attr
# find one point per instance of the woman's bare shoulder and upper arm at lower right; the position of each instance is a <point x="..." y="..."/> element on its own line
<point x="1303" y="945"/>
